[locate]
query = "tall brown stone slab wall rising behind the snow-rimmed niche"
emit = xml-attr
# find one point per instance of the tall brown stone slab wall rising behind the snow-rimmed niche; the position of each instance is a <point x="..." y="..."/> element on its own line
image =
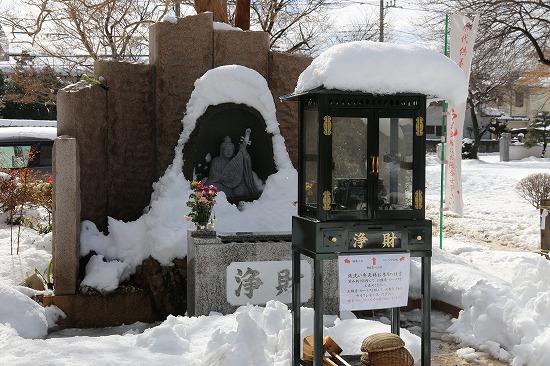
<point x="126" y="135"/>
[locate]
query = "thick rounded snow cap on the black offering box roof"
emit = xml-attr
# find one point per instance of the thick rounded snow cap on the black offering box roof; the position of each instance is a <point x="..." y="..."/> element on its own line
<point x="385" y="68"/>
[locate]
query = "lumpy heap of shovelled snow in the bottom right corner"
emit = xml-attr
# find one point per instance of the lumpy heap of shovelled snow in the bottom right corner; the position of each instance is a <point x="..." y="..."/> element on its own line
<point x="519" y="312"/>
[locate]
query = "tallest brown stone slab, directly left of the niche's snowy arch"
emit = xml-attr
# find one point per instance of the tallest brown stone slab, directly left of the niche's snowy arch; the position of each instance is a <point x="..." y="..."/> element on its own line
<point x="181" y="53"/>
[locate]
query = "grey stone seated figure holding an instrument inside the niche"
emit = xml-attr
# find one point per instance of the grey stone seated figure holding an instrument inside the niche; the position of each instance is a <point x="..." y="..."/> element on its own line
<point x="232" y="173"/>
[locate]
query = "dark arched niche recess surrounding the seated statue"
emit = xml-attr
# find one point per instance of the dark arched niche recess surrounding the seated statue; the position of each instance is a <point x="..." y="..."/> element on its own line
<point x="219" y="121"/>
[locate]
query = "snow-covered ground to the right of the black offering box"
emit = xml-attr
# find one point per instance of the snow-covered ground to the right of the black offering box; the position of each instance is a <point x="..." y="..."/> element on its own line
<point x="503" y="293"/>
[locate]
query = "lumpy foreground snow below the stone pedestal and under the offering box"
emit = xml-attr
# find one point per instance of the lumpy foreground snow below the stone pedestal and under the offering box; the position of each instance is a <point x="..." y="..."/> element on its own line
<point x="253" y="336"/>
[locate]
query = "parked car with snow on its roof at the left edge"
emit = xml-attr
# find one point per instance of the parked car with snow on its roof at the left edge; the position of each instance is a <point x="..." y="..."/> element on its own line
<point x="27" y="147"/>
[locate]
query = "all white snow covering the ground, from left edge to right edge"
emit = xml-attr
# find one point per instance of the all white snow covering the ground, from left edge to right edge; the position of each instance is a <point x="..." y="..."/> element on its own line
<point x="486" y="267"/>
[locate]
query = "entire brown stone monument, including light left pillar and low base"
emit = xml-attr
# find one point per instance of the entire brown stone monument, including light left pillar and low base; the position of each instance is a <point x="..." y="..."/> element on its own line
<point x="111" y="158"/>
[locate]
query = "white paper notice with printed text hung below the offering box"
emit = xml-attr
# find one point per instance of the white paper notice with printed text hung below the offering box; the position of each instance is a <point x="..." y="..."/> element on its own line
<point x="374" y="281"/>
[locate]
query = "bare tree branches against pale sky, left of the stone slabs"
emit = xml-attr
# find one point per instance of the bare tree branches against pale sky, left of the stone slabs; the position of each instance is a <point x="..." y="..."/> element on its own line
<point x="89" y="28"/>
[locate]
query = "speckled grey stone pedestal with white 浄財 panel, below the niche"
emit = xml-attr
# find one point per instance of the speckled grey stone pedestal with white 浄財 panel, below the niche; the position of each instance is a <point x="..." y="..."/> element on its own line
<point x="228" y="270"/>
